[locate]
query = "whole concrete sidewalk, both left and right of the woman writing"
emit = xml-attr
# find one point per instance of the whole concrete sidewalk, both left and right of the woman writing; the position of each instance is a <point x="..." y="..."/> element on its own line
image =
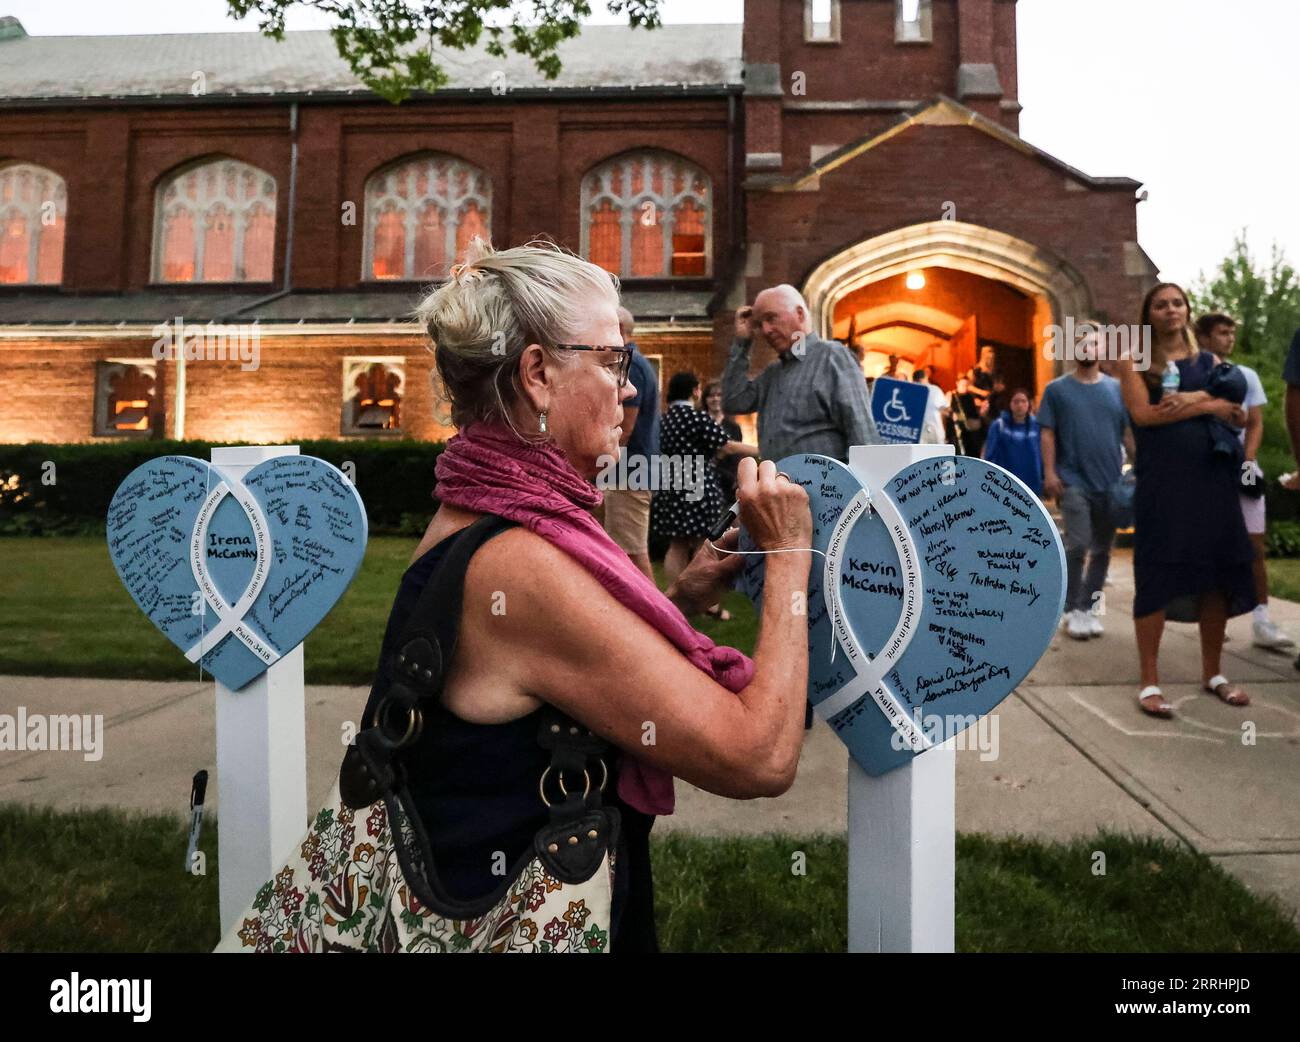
<point x="1073" y="753"/>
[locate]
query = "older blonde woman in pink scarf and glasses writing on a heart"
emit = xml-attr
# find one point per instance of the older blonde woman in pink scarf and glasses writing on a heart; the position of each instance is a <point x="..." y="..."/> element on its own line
<point x="528" y="349"/>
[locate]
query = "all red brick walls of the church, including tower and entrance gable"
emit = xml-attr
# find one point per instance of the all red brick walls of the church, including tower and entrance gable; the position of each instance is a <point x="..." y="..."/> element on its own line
<point x="536" y="154"/>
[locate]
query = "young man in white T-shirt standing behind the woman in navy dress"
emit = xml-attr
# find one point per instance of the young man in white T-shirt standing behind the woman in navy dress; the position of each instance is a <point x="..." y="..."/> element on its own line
<point x="1217" y="335"/>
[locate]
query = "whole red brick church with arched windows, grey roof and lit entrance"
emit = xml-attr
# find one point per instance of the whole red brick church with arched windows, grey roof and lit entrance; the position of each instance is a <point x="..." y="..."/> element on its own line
<point x="865" y="151"/>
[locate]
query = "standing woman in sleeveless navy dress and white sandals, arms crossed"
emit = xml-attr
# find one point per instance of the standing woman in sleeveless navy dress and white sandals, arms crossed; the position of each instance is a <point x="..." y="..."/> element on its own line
<point x="1191" y="554"/>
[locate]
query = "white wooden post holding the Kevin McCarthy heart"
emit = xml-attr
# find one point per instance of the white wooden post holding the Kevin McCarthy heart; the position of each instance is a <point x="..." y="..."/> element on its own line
<point x="903" y="856"/>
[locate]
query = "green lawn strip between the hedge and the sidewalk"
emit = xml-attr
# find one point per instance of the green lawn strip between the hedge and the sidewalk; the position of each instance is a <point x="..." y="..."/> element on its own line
<point x="64" y="613"/>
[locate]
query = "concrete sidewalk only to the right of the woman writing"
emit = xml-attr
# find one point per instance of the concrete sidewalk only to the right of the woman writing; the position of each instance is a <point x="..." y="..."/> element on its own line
<point x="1077" y="754"/>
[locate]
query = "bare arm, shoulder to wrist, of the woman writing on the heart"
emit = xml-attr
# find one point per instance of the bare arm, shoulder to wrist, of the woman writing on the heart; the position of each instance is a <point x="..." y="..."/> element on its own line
<point x="565" y="640"/>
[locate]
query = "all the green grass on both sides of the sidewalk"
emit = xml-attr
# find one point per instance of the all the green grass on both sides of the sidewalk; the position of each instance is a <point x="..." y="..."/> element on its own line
<point x="109" y="882"/>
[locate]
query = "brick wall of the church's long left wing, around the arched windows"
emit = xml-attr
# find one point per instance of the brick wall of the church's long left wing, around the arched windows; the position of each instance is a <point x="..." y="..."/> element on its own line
<point x="114" y="160"/>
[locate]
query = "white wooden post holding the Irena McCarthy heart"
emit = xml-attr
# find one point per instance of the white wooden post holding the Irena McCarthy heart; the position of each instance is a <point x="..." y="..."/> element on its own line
<point x="262" y="753"/>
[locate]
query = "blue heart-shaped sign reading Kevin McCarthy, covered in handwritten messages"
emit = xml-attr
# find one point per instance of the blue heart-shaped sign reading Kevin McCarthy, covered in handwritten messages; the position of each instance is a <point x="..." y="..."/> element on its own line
<point x="935" y="597"/>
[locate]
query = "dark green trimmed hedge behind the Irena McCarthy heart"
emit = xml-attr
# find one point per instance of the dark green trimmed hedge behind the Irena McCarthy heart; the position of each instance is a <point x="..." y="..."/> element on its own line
<point x="395" y="477"/>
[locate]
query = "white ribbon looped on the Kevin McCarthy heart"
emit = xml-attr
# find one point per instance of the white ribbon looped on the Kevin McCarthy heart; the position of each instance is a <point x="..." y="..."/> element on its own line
<point x="869" y="680"/>
